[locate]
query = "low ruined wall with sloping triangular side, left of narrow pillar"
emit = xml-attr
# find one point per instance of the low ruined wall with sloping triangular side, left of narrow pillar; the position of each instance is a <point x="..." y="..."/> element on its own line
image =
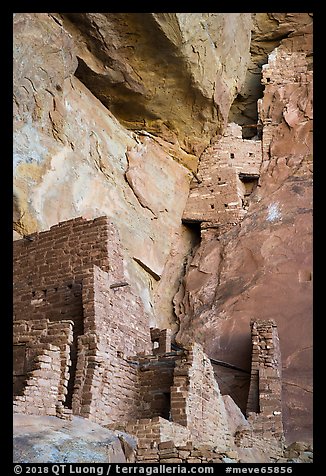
<point x="179" y="401"/>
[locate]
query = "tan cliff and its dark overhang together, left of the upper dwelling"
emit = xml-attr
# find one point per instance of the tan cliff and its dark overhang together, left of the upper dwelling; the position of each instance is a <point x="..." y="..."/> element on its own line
<point x="74" y="158"/>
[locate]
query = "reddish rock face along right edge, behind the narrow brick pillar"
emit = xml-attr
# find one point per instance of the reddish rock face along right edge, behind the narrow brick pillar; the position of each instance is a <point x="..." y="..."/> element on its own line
<point x="262" y="267"/>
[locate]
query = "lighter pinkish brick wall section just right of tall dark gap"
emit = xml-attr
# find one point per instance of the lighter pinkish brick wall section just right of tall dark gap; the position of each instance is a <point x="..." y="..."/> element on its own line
<point x="107" y="385"/>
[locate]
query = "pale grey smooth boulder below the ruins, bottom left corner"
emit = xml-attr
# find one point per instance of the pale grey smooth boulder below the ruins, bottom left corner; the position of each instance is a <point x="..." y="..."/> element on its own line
<point x="40" y="439"/>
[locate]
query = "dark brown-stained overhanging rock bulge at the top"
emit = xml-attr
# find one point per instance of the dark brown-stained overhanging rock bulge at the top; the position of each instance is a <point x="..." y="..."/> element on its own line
<point x="172" y="74"/>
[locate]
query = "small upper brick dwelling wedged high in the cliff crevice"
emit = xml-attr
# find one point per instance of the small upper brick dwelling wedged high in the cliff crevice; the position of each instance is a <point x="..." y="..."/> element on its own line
<point x="227" y="174"/>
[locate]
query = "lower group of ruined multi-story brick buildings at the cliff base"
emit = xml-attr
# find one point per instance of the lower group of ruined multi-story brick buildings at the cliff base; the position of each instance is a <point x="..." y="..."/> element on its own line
<point x="83" y="346"/>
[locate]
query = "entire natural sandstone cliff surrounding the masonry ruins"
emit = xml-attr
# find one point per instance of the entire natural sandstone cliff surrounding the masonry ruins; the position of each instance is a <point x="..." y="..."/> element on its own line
<point x="111" y="115"/>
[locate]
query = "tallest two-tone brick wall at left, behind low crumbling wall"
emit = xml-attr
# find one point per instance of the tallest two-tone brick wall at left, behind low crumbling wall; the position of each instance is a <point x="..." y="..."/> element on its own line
<point x="75" y="271"/>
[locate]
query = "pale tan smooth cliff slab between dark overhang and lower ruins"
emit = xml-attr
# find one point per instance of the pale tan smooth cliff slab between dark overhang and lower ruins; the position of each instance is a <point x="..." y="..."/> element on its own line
<point x="71" y="157"/>
